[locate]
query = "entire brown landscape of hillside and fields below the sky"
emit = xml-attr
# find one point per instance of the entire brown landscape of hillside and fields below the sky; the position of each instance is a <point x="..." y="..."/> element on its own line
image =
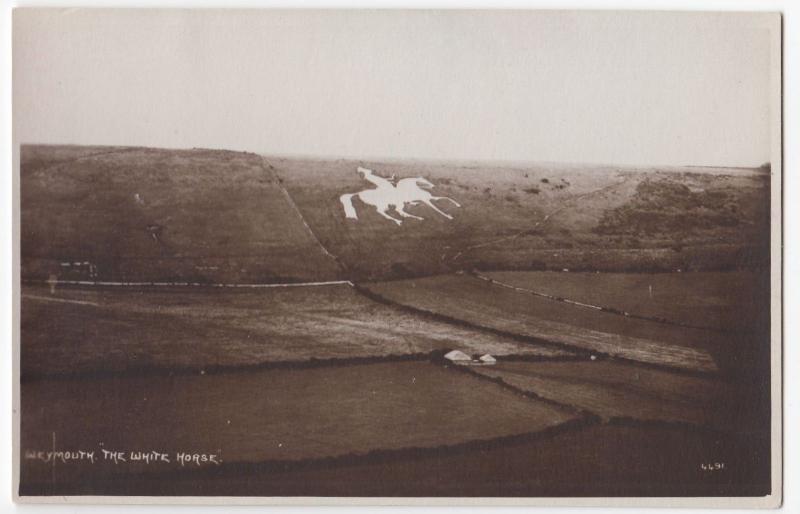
<point x="342" y="389"/>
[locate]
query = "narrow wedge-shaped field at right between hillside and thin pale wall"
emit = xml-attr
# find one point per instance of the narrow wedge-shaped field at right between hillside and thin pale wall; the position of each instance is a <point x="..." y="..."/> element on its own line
<point x="721" y="300"/>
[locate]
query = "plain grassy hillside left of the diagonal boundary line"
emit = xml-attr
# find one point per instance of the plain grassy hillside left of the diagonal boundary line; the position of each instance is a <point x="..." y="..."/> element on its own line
<point x="145" y="214"/>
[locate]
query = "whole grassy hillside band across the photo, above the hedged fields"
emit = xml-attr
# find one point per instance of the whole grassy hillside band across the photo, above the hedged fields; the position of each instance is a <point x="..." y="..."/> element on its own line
<point x="207" y="215"/>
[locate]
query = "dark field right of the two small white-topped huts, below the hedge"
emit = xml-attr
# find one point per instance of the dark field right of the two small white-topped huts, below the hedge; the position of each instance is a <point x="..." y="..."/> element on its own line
<point x="612" y="389"/>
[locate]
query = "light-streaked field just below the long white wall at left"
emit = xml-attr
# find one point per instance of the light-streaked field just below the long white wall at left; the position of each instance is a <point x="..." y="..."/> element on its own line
<point x="108" y="331"/>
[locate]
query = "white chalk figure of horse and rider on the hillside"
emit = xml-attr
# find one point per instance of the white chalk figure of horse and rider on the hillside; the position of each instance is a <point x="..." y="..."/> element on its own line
<point x="387" y="195"/>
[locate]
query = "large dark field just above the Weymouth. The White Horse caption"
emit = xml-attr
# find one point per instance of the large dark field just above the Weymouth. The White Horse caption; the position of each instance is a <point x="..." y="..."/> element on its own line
<point x="274" y="415"/>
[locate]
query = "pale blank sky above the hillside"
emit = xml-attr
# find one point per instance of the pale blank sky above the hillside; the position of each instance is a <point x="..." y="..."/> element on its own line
<point x="635" y="88"/>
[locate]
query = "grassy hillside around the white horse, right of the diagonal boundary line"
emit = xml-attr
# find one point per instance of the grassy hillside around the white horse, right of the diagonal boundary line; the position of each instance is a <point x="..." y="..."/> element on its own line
<point x="540" y="217"/>
